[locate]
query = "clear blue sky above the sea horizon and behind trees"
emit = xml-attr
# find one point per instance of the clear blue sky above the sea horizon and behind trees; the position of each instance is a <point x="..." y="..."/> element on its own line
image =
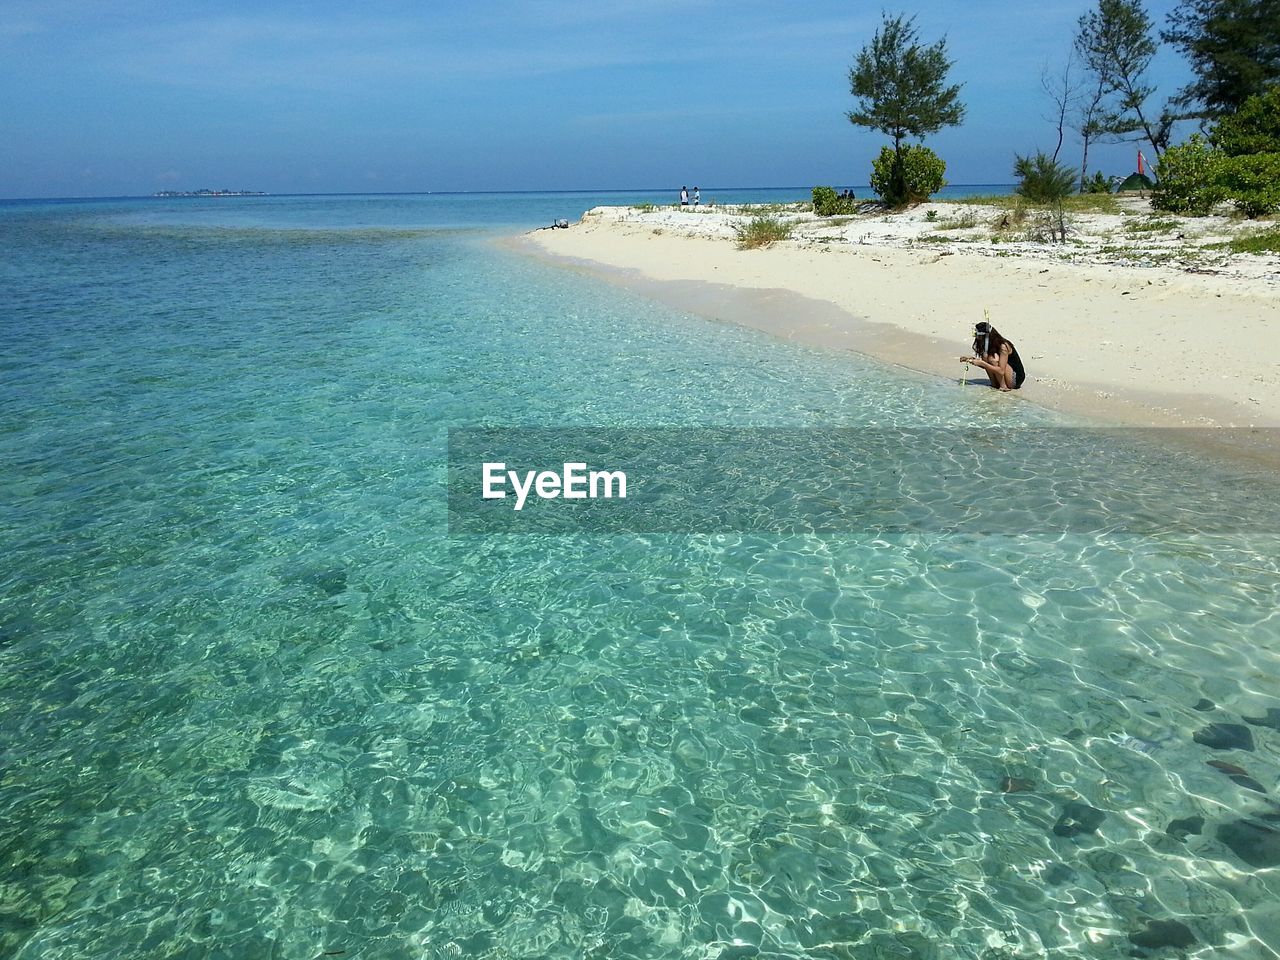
<point x="126" y="98"/>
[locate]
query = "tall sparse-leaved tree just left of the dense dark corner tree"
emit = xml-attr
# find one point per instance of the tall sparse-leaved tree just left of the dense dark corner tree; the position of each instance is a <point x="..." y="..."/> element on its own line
<point x="1117" y="45"/>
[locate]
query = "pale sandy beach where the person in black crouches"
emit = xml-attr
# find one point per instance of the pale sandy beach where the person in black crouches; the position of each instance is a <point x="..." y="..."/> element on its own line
<point x="1139" y="321"/>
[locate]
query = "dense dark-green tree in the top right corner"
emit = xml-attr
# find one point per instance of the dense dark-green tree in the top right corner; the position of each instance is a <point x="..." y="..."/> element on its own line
<point x="1233" y="48"/>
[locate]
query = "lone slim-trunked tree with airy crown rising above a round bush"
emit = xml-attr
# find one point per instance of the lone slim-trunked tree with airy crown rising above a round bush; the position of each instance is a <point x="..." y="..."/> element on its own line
<point x="903" y="92"/>
